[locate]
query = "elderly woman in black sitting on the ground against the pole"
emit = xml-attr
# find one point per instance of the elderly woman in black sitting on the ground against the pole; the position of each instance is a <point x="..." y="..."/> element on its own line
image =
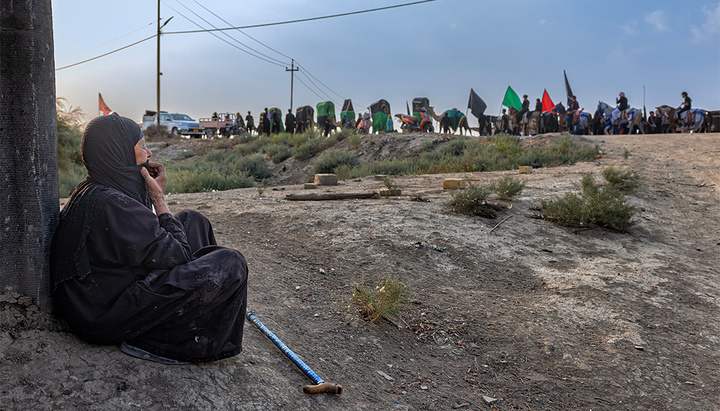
<point x="156" y="284"/>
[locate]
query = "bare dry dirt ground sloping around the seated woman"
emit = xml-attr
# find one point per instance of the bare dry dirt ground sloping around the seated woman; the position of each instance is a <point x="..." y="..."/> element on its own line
<point x="530" y="316"/>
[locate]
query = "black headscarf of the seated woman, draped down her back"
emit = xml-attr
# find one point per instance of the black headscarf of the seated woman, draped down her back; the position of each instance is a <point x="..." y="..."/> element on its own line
<point x="109" y="156"/>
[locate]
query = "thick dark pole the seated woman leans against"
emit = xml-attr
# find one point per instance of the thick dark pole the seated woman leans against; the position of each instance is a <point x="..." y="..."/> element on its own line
<point x="29" y="205"/>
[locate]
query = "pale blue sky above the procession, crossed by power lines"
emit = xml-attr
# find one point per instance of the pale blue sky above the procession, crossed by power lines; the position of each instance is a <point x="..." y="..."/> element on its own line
<point x="437" y="50"/>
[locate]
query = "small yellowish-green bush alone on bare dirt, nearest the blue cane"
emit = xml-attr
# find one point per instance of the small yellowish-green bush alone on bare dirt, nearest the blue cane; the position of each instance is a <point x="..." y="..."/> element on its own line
<point x="389" y="297"/>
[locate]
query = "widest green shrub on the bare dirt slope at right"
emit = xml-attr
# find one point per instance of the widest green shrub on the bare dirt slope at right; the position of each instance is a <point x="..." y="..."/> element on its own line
<point x="596" y="206"/>
